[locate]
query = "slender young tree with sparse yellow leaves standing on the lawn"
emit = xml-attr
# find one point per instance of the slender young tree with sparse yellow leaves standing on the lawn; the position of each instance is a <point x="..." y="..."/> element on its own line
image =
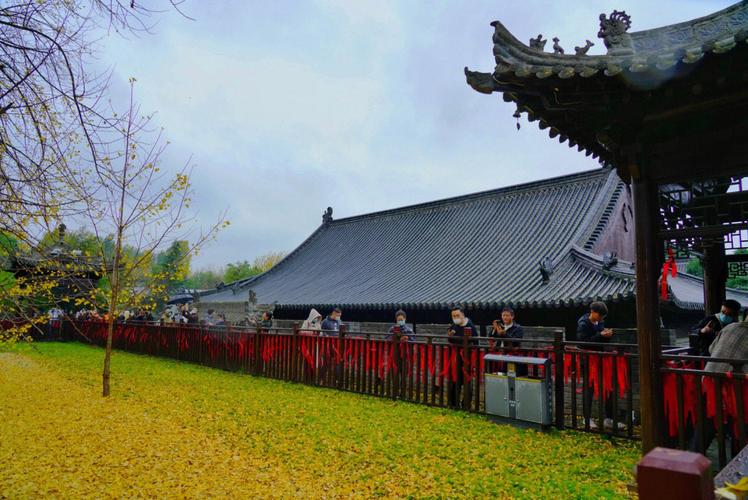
<point x="147" y="208"/>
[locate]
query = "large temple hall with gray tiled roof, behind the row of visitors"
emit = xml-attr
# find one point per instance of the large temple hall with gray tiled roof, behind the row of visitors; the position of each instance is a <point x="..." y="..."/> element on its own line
<point x="545" y="248"/>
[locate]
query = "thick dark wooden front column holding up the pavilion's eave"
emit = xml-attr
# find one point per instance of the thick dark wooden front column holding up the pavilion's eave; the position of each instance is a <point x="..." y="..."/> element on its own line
<point x="646" y="221"/>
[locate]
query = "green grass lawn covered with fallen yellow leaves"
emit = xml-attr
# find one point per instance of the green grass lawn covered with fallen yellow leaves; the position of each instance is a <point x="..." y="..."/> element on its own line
<point x="175" y="429"/>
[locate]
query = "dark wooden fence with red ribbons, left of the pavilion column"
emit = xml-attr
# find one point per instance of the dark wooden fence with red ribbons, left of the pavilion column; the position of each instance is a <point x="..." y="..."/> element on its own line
<point x="589" y="383"/>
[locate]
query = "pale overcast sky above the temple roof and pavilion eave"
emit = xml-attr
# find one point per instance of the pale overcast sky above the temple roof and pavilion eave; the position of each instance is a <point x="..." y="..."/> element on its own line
<point x="289" y="107"/>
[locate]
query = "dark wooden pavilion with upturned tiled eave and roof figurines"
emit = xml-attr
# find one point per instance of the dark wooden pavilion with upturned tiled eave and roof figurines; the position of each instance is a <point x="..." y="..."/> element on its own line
<point x="668" y="109"/>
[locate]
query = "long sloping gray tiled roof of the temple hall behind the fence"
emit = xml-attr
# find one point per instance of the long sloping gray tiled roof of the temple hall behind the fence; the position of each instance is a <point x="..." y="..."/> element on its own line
<point x="481" y="250"/>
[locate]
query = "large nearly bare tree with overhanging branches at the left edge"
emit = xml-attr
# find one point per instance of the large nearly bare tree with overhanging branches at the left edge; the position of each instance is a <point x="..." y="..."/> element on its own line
<point x="55" y="120"/>
